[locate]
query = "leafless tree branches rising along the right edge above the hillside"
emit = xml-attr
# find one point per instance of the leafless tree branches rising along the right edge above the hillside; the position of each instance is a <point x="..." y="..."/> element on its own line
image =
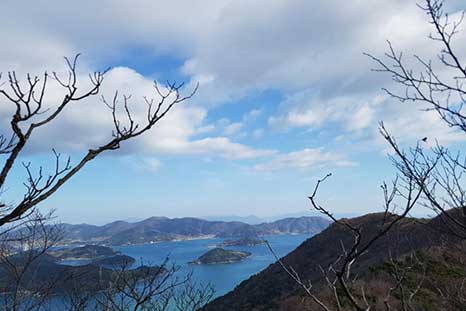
<point x="426" y="177"/>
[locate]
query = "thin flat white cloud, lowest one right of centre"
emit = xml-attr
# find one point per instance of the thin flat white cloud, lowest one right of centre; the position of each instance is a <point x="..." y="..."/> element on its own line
<point x="303" y="160"/>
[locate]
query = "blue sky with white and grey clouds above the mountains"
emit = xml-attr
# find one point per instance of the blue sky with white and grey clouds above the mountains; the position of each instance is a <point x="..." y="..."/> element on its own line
<point x="285" y="96"/>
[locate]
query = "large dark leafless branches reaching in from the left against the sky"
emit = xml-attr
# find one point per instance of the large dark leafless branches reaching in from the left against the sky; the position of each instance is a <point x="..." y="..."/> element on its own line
<point x="30" y="114"/>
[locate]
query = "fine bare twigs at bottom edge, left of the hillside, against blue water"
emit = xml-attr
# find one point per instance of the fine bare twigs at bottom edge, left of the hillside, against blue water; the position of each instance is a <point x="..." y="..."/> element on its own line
<point x="146" y="288"/>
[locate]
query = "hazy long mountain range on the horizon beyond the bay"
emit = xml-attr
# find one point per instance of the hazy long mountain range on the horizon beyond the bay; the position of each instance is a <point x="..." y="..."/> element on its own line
<point x="156" y="229"/>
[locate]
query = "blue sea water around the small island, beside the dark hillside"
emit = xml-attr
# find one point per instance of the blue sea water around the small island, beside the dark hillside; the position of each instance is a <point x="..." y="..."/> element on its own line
<point x="224" y="277"/>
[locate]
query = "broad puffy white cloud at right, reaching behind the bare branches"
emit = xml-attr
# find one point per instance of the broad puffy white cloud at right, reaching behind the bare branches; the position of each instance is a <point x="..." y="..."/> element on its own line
<point x="358" y="118"/>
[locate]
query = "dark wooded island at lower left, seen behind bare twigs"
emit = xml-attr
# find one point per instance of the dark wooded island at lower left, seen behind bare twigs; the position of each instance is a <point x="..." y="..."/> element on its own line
<point x="95" y="271"/>
